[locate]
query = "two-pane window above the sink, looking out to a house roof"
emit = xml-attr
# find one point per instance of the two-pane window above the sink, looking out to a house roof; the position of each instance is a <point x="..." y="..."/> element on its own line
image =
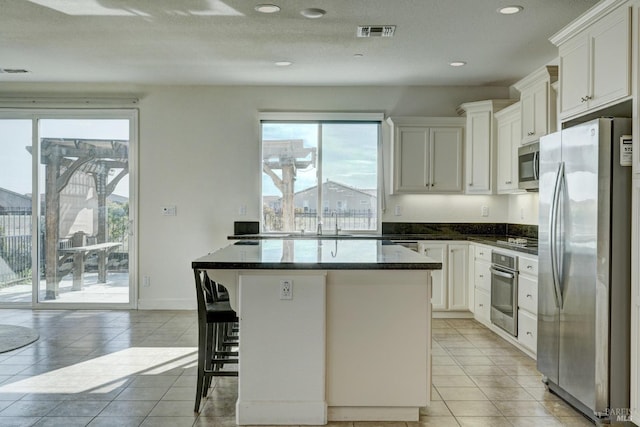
<point x="308" y="164"/>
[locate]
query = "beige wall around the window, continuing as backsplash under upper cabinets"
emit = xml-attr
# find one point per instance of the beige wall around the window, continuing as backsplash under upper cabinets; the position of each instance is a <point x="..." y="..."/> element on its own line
<point x="199" y="151"/>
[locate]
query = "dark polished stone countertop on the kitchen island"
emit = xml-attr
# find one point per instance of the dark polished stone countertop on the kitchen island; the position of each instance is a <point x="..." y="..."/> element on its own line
<point x="316" y="254"/>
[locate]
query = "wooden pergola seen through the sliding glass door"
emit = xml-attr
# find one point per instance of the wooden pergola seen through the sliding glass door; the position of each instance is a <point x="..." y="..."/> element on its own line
<point x="63" y="157"/>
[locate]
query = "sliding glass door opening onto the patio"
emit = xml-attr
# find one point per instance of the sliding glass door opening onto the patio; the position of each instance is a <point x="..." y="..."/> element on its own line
<point x="81" y="240"/>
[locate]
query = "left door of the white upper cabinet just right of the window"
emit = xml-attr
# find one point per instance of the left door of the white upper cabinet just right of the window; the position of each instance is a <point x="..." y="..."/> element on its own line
<point x="411" y="159"/>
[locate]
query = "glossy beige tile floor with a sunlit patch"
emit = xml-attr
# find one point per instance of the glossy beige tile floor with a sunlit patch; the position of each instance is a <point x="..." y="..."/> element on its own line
<point x="137" y="368"/>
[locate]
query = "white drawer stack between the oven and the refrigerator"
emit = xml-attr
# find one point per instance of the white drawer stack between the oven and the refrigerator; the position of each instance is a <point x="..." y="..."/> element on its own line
<point x="528" y="302"/>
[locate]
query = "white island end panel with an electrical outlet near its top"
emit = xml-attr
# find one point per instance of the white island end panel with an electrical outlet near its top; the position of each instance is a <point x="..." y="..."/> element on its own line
<point x="282" y="361"/>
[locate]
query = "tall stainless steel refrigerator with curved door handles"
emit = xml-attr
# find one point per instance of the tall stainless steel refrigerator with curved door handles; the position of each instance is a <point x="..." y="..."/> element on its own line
<point x="584" y="266"/>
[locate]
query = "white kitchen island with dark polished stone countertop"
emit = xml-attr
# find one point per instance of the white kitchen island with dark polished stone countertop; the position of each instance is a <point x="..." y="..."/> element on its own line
<point x="330" y="330"/>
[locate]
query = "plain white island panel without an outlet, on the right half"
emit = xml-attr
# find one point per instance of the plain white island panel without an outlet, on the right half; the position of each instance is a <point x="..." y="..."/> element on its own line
<point x="378" y="344"/>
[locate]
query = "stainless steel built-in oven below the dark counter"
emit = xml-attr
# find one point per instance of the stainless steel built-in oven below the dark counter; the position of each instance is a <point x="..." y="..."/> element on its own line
<point x="504" y="292"/>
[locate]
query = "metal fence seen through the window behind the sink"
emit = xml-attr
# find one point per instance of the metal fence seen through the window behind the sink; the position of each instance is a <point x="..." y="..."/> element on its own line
<point x="308" y="221"/>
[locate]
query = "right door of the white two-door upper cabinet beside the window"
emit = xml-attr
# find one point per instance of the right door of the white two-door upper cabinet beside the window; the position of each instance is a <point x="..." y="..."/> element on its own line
<point x="446" y="160"/>
